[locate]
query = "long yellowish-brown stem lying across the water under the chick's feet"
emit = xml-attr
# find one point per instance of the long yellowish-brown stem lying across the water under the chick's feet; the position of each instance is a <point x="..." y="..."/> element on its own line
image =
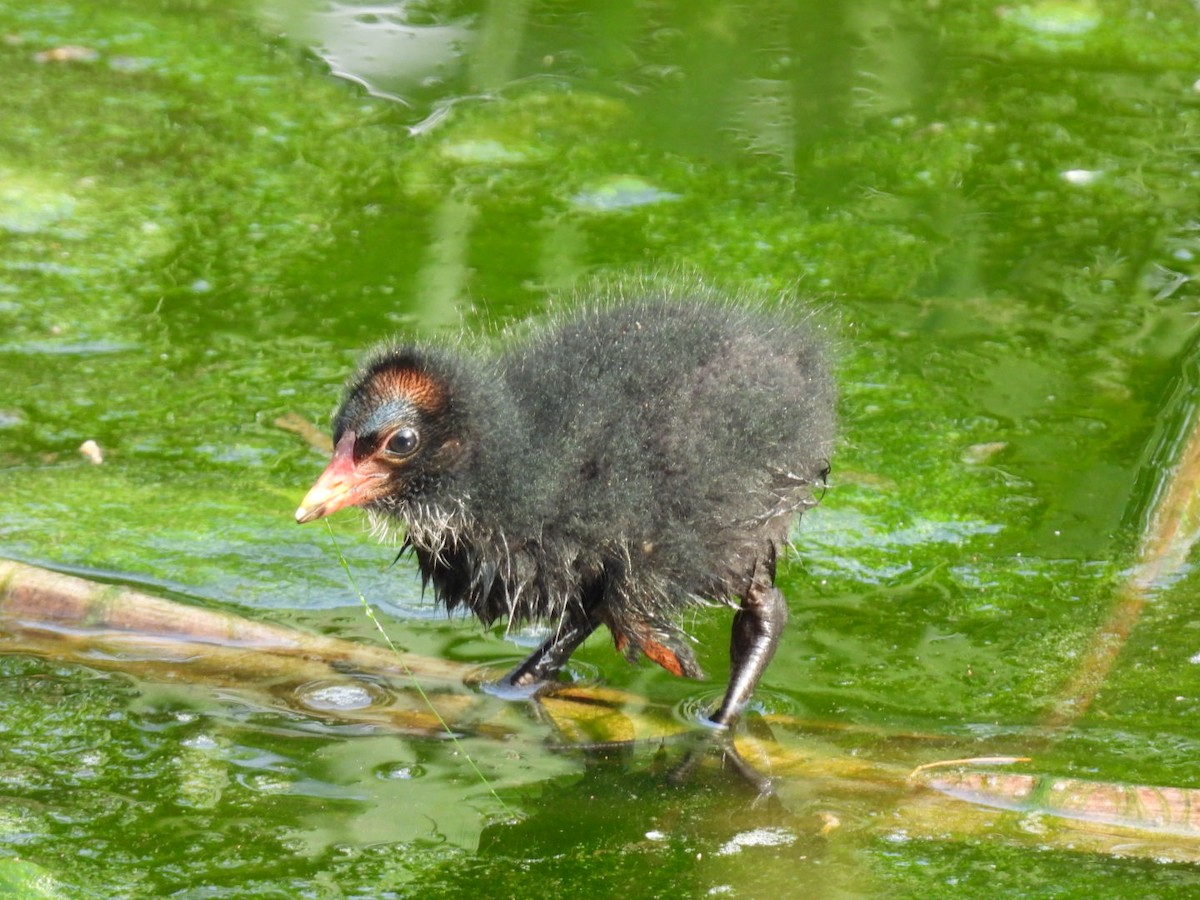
<point x="106" y="627"/>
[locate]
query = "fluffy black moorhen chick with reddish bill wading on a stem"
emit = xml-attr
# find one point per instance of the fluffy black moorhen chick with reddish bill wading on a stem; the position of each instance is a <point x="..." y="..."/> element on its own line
<point x="615" y="469"/>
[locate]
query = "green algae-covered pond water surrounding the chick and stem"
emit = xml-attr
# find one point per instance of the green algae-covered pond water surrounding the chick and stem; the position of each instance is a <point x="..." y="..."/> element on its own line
<point x="209" y="208"/>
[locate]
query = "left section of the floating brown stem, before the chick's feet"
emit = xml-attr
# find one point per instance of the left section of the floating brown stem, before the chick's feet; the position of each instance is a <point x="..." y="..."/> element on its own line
<point x="110" y="627"/>
